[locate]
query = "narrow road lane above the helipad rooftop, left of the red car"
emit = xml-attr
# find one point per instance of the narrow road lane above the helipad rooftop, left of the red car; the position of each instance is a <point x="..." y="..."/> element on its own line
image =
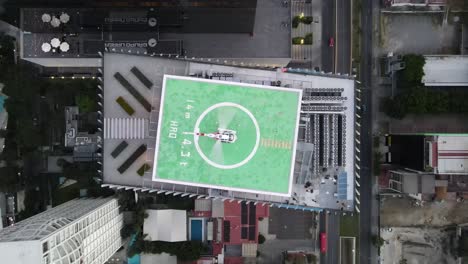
<point x="328" y="30"/>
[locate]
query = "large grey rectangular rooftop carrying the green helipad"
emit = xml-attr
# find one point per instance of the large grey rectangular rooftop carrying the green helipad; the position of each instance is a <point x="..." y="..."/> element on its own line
<point x="323" y="170"/>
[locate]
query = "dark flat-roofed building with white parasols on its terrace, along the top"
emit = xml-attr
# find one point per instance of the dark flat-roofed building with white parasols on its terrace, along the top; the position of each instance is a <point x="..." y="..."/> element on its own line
<point x="188" y="28"/>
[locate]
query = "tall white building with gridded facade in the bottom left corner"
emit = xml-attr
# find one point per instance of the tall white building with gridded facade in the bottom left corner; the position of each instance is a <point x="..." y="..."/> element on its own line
<point x="80" y="231"/>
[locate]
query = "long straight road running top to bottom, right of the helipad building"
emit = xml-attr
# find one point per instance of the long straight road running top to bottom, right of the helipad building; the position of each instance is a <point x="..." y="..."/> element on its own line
<point x="366" y="197"/>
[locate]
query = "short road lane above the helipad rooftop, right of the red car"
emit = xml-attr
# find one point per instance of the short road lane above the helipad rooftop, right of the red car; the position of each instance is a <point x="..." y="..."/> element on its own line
<point x="343" y="37"/>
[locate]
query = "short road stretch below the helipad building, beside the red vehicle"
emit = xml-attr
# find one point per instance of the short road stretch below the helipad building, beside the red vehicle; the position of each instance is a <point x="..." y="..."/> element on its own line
<point x="330" y="224"/>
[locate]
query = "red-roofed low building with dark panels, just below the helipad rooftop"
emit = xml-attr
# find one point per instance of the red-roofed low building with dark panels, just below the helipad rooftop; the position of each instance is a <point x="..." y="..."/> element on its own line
<point x="227" y="227"/>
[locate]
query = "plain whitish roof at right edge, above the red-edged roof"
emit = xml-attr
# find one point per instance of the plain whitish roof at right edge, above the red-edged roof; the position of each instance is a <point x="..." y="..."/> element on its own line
<point x="446" y="70"/>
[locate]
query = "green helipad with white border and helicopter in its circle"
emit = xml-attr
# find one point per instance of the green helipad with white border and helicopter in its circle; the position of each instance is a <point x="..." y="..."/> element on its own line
<point x="227" y="135"/>
